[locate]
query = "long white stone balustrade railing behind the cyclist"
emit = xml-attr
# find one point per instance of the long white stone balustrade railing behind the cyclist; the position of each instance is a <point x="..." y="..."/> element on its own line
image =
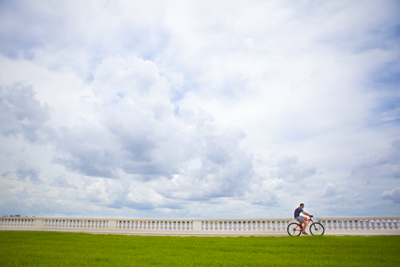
<point x="333" y="225"/>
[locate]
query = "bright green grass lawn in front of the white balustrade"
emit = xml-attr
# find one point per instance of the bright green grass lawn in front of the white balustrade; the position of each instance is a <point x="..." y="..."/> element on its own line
<point x="78" y="249"/>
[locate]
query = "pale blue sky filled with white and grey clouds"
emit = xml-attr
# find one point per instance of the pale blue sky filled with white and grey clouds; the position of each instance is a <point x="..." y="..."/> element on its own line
<point x="199" y="109"/>
